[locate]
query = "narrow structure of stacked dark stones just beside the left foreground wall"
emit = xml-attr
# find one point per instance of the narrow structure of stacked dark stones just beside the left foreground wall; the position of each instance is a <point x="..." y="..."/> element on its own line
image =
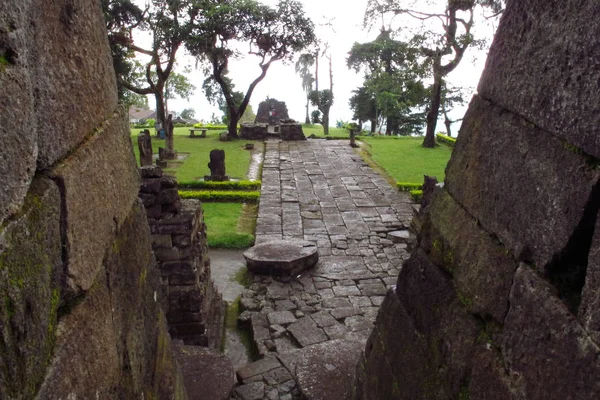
<point x="195" y="310"/>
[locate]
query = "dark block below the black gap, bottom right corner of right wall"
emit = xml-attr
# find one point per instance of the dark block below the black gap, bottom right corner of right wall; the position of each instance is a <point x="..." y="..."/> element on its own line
<point x="541" y="338"/>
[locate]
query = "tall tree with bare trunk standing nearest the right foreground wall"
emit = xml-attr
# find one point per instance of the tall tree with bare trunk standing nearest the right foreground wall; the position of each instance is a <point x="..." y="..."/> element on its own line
<point x="444" y="50"/>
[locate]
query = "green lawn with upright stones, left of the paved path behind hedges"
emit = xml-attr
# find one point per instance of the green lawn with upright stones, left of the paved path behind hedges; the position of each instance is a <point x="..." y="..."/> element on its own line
<point x="195" y="166"/>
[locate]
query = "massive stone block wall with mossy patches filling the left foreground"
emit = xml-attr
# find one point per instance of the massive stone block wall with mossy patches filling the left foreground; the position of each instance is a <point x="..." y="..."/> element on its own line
<point x="79" y="297"/>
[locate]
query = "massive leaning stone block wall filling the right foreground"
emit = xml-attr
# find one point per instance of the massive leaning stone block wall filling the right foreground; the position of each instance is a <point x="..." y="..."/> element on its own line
<point x="499" y="300"/>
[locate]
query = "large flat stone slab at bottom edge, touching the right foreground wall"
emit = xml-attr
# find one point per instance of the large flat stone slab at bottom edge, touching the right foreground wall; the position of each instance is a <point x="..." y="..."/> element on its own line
<point x="326" y="370"/>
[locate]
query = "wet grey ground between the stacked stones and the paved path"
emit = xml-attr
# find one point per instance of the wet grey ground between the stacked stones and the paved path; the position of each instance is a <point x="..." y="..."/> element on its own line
<point x="225" y="263"/>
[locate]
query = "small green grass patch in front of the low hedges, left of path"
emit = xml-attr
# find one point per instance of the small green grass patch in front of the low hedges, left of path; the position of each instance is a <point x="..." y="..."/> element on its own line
<point x="224" y="228"/>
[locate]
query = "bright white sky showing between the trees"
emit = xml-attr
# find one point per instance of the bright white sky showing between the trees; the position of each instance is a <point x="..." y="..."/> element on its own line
<point x="283" y="84"/>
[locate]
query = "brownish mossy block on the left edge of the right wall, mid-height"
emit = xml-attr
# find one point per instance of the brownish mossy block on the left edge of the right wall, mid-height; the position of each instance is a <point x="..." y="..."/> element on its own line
<point x="482" y="269"/>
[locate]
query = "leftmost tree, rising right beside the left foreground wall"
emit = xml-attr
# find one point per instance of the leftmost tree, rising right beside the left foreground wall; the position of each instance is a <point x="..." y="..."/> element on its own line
<point x="169" y="23"/>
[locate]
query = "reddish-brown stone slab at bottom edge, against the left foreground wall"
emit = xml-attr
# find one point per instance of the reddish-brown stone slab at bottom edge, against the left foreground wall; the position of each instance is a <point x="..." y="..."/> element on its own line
<point x="207" y="374"/>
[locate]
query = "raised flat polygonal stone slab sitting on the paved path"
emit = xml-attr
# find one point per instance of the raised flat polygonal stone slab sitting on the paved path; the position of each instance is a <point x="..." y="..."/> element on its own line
<point x="281" y="258"/>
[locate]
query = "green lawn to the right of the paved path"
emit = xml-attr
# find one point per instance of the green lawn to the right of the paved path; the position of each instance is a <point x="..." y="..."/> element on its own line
<point x="405" y="160"/>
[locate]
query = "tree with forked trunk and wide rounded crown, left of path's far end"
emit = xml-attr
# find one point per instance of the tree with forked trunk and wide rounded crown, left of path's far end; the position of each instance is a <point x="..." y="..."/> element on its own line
<point x="272" y="34"/>
